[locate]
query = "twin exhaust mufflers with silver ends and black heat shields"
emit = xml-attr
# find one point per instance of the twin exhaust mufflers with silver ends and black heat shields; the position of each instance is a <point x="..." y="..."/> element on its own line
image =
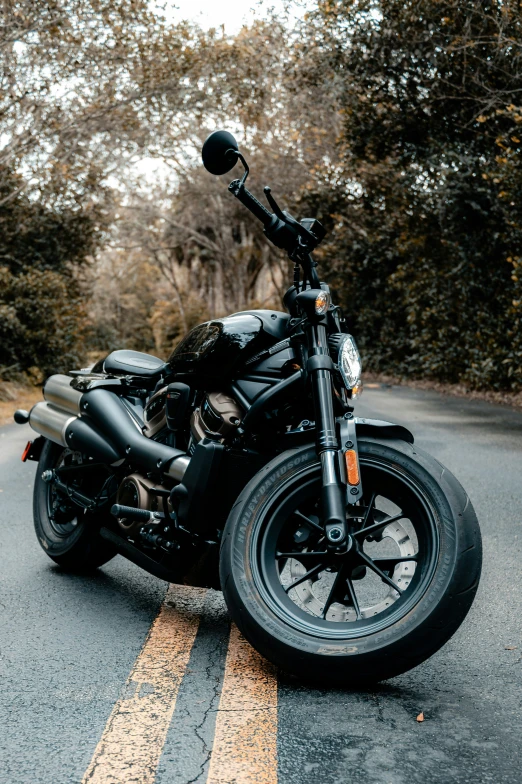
<point x="80" y="422"/>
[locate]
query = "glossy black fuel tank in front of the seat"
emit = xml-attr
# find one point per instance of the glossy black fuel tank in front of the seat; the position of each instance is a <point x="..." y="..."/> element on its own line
<point x="214" y="349"/>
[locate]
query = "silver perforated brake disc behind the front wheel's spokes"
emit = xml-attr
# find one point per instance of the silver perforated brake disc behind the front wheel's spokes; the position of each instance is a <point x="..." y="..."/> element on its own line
<point x="310" y="595"/>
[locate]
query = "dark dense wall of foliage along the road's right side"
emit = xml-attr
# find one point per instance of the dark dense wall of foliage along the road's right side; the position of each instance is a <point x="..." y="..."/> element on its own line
<point x="424" y="212"/>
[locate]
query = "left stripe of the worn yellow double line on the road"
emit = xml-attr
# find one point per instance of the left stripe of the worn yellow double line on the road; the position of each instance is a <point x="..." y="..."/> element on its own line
<point x="134" y="736"/>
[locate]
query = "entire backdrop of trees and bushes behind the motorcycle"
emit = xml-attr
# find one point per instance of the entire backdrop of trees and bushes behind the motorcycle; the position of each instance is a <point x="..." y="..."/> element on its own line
<point x="398" y="122"/>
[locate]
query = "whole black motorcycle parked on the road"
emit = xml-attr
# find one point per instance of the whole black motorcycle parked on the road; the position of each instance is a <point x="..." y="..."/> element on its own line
<point x="345" y="553"/>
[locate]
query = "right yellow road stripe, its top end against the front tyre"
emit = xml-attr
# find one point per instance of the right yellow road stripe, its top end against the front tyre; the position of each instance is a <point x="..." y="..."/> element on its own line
<point x="245" y="742"/>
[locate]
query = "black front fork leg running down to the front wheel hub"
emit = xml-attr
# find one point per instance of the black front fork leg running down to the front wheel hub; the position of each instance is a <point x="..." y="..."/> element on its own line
<point x="333" y="493"/>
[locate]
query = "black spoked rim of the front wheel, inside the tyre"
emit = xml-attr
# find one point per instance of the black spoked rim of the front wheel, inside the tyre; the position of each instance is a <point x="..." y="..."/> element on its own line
<point x="394" y="513"/>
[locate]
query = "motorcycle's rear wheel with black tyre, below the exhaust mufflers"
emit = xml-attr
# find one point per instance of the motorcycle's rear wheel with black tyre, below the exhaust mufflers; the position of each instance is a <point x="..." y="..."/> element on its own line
<point x="68" y="533"/>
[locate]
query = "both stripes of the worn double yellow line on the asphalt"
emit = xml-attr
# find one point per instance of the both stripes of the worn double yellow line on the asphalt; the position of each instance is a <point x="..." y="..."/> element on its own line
<point x="244" y="748"/>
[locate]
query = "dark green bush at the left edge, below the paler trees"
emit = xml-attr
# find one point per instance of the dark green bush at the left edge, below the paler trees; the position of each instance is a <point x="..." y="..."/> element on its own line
<point x="41" y="312"/>
